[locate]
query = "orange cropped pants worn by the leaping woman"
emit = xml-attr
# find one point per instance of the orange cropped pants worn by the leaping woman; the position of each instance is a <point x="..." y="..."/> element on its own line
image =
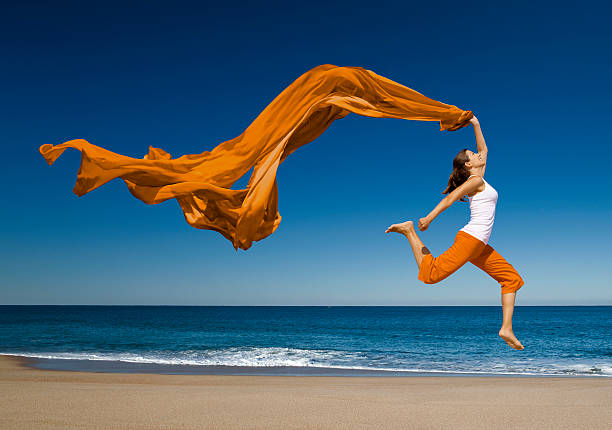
<point x="468" y="248"/>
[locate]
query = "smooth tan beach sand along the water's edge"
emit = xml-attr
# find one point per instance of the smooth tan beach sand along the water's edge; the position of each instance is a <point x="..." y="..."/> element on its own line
<point x="45" y="399"/>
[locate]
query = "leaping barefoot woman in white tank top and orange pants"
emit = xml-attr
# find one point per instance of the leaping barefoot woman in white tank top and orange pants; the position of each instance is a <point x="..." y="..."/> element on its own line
<point x="471" y="242"/>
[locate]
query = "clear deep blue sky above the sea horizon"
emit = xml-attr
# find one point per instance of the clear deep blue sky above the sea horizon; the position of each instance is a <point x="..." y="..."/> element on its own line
<point x="185" y="77"/>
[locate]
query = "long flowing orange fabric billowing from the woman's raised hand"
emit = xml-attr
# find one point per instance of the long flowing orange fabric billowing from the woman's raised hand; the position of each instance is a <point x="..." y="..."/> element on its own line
<point x="201" y="183"/>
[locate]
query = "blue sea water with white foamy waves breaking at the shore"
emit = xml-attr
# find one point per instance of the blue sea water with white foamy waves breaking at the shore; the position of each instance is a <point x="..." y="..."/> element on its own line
<point x="342" y="340"/>
